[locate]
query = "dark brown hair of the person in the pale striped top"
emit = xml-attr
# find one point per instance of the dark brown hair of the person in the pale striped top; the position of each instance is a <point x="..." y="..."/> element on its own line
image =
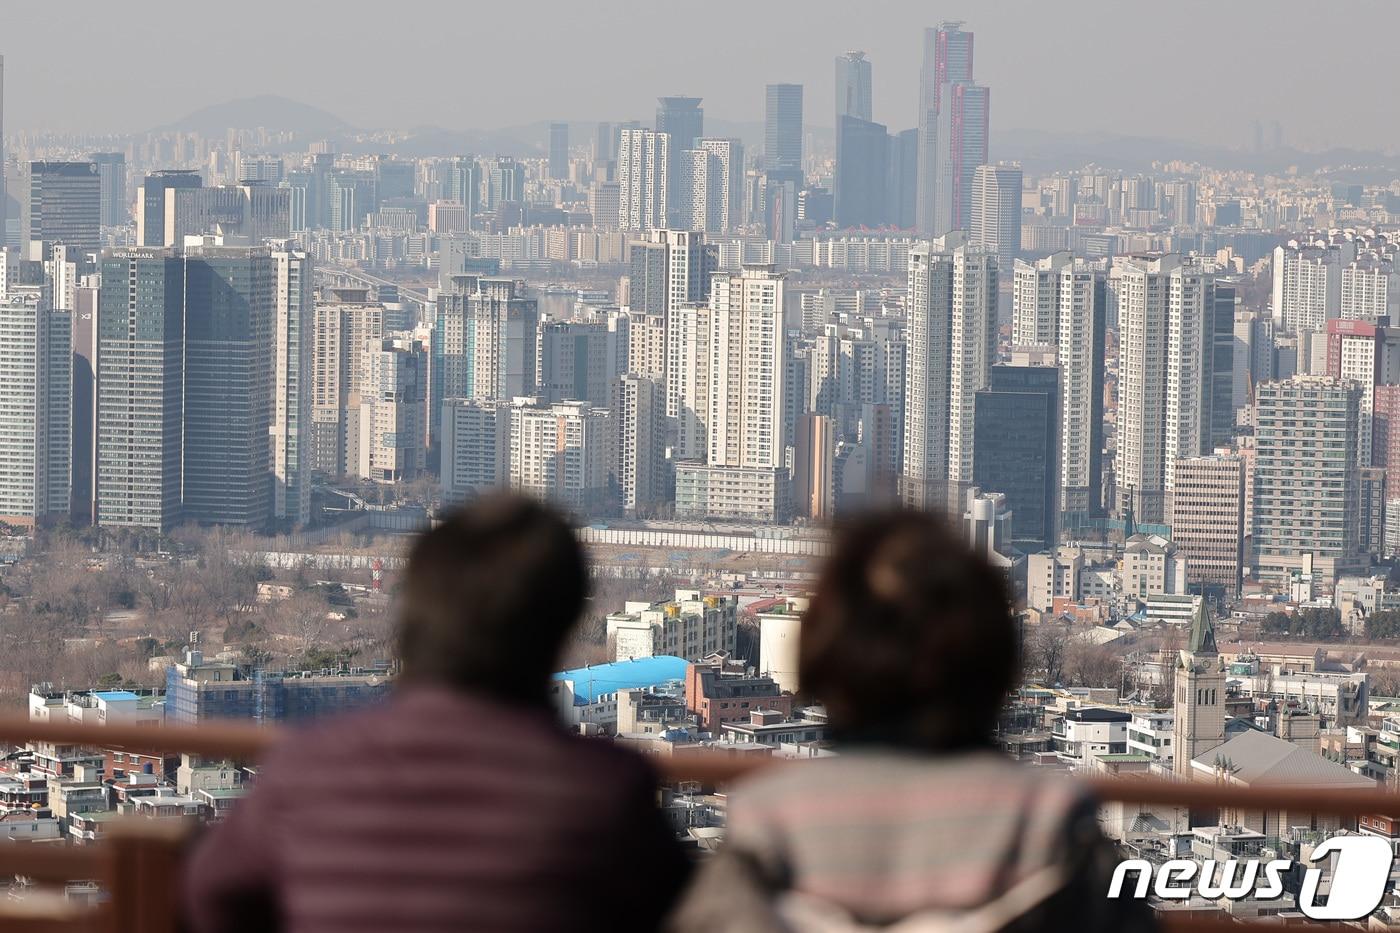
<point x="909" y="638"/>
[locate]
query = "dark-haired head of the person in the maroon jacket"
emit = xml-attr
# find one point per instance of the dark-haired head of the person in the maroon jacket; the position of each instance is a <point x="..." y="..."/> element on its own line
<point x="491" y="596"/>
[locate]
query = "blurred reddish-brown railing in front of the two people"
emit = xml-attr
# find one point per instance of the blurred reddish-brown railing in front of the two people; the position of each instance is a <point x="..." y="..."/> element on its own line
<point x="139" y="859"/>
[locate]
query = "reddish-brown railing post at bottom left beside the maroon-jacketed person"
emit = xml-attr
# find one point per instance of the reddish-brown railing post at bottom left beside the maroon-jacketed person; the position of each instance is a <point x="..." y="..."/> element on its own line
<point x="145" y="876"/>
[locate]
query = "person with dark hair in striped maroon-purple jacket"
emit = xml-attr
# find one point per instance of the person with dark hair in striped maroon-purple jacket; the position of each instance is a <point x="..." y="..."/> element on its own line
<point x="460" y="803"/>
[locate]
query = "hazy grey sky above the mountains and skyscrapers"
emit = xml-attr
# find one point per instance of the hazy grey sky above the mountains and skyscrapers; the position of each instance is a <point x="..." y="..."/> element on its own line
<point x="1189" y="69"/>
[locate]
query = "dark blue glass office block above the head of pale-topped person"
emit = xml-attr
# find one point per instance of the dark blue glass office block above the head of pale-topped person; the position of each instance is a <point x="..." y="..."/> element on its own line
<point x="1017" y="450"/>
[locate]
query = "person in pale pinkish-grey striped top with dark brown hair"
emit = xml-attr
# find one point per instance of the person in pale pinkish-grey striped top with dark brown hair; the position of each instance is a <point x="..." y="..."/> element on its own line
<point x="919" y="823"/>
